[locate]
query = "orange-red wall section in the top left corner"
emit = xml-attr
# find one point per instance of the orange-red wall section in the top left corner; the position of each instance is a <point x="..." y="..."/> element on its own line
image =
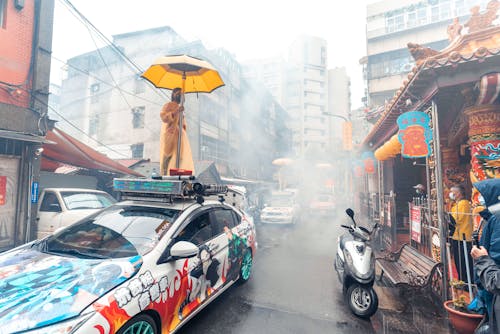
<point x="15" y="53"/>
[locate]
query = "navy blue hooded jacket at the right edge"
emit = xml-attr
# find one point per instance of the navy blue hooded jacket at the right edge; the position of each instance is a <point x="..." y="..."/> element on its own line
<point x="490" y="238"/>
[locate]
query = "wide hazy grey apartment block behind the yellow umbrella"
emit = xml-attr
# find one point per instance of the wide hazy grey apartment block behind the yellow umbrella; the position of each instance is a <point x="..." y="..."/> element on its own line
<point x="114" y="110"/>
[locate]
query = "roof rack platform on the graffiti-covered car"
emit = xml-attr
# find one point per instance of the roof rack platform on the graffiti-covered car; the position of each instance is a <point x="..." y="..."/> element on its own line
<point x="165" y="189"/>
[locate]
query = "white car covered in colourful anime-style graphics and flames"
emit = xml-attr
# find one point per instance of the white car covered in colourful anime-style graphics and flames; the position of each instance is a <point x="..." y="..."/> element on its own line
<point x="144" y="265"/>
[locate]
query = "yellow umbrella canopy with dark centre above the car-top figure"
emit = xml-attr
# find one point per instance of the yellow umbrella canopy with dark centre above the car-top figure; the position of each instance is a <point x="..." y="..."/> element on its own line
<point x="192" y="74"/>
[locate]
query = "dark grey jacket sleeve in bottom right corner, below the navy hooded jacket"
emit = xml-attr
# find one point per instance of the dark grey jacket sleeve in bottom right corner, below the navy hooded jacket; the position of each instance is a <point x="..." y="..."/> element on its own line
<point x="489" y="274"/>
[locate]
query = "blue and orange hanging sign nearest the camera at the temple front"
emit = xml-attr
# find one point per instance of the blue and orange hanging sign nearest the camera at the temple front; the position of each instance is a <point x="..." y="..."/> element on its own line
<point x="414" y="134"/>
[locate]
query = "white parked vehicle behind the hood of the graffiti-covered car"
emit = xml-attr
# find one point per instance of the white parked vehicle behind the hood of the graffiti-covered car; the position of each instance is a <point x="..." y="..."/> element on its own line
<point x="60" y="207"/>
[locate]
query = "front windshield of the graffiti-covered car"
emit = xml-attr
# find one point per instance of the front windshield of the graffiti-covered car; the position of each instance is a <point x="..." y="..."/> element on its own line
<point x="119" y="231"/>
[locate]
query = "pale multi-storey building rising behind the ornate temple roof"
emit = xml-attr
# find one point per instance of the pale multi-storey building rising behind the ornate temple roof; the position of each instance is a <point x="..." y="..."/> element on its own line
<point x="391" y="25"/>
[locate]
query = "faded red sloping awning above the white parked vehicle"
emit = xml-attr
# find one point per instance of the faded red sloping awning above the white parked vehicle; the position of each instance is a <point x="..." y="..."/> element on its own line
<point x="69" y="151"/>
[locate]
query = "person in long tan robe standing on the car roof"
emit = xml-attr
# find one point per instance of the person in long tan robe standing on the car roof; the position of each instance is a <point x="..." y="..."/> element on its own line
<point x="169" y="137"/>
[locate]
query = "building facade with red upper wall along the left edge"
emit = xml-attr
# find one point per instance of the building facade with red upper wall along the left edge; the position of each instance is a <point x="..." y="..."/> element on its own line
<point x="25" y="44"/>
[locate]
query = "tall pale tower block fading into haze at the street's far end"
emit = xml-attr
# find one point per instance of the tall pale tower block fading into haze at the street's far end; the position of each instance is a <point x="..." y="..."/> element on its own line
<point x="307" y="90"/>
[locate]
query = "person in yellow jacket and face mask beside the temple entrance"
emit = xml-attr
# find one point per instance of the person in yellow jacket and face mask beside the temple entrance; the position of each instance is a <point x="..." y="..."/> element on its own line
<point x="462" y="215"/>
